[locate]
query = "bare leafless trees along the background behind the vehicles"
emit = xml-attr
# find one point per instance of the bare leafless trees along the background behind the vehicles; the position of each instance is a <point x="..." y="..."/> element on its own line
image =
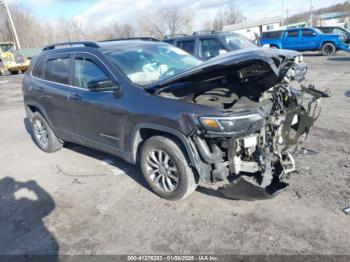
<point x="172" y="20"/>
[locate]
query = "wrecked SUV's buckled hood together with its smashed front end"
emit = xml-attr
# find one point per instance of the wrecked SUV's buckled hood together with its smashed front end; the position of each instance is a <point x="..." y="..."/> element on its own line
<point x="267" y="112"/>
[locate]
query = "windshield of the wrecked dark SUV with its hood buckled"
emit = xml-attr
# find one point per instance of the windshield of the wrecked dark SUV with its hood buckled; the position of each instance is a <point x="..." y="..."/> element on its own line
<point x="152" y="62"/>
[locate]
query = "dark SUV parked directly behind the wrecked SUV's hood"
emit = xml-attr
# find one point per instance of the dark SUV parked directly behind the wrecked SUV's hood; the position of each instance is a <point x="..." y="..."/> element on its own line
<point x="206" y="46"/>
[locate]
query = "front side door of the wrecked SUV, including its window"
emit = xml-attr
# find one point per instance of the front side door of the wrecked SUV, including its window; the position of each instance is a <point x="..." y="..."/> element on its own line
<point x="98" y="115"/>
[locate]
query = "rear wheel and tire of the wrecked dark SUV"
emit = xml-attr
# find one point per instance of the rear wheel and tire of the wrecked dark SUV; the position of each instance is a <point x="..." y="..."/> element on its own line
<point x="43" y="135"/>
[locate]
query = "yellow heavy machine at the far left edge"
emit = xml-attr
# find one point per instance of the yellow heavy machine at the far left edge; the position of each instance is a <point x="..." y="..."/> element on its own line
<point x="11" y="62"/>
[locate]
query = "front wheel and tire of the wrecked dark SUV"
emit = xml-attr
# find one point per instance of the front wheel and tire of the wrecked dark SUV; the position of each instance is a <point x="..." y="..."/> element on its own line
<point x="166" y="168"/>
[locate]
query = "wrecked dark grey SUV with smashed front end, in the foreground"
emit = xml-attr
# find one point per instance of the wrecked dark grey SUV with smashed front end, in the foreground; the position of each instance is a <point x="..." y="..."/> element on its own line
<point x="233" y="119"/>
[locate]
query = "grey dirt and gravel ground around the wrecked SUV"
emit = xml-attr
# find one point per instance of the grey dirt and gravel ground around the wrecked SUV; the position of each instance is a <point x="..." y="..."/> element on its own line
<point x="84" y="202"/>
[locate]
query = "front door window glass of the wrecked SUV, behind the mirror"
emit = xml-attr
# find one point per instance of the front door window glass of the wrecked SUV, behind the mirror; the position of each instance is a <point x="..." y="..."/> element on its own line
<point x="86" y="71"/>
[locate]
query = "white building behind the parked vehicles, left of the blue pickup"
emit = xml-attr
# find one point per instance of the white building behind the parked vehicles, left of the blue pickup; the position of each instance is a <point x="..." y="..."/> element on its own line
<point x="251" y="29"/>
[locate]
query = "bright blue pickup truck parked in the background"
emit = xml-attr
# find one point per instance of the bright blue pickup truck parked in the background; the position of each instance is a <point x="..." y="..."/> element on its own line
<point x="304" y="39"/>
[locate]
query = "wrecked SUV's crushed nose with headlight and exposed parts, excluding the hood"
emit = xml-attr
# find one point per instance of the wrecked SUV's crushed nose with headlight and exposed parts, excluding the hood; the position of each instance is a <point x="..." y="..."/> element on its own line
<point x="250" y="152"/>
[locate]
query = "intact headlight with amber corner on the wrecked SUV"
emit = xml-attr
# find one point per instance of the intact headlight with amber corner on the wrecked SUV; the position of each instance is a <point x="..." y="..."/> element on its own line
<point x="235" y="123"/>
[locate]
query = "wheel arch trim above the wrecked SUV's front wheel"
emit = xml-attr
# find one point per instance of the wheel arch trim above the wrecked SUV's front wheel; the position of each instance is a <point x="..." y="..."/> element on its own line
<point x="187" y="143"/>
